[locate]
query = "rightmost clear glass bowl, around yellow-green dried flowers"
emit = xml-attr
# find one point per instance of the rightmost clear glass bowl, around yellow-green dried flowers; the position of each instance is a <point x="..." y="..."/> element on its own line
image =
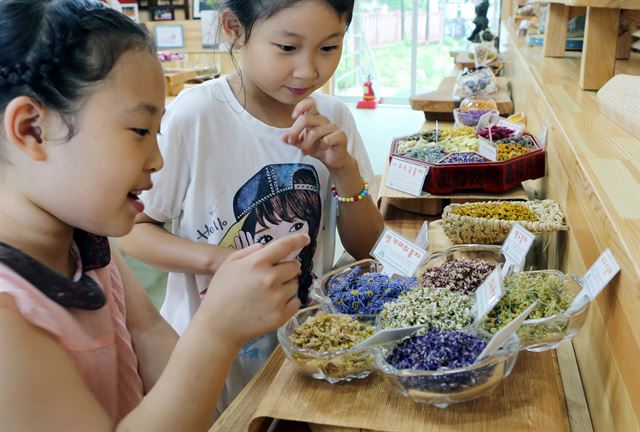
<point x="548" y="333"/>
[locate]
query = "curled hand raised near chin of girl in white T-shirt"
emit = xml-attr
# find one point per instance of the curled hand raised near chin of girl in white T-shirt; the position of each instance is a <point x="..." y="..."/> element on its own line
<point x="316" y="136"/>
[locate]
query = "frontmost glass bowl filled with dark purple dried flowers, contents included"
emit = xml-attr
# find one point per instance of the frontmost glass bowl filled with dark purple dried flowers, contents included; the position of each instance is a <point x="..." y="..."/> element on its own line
<point x="438" y="367"/>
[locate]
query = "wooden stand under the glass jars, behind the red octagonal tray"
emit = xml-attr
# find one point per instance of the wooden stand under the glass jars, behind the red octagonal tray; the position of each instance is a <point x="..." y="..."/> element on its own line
<point x="439" y="104"/>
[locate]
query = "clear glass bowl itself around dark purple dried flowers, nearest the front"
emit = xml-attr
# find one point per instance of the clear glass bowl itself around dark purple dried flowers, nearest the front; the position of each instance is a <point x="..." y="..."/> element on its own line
<point x="444" y="387"/>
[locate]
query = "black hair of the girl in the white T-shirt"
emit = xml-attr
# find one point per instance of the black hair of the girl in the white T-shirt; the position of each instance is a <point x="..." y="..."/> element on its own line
<point x="248" y="12"/>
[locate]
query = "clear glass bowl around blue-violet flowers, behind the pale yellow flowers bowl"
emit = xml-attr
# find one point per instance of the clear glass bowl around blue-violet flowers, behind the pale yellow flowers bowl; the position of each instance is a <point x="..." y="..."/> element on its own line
<point x="320" y="290"/>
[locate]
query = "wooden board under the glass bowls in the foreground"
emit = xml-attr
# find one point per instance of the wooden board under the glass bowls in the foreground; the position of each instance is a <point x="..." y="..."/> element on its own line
<point x="532" y="398"/>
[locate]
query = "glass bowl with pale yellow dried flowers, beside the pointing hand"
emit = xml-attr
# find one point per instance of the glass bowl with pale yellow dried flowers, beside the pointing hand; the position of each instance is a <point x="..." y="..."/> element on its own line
<point x="319" y="343"/>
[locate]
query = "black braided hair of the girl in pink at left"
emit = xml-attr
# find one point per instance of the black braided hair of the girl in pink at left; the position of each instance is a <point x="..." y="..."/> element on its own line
<point x="58" y="51"/>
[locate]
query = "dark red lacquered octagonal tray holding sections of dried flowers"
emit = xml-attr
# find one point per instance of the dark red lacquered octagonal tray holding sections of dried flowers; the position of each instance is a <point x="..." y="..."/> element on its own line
<point x="486" y="176"/>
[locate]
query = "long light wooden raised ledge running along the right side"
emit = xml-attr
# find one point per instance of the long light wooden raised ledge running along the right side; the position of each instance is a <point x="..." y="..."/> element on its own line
<point x="593" y="172"/>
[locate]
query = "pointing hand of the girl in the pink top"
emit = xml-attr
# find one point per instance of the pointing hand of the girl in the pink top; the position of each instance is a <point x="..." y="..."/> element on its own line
<point x="255" y="290"/>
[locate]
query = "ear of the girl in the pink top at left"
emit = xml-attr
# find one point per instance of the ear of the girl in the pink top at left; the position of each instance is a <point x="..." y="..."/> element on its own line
<point x="24" y="127"/>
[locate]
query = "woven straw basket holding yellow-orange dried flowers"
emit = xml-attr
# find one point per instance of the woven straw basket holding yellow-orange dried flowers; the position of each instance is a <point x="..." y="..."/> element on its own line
<point x="467" y="229"/>
